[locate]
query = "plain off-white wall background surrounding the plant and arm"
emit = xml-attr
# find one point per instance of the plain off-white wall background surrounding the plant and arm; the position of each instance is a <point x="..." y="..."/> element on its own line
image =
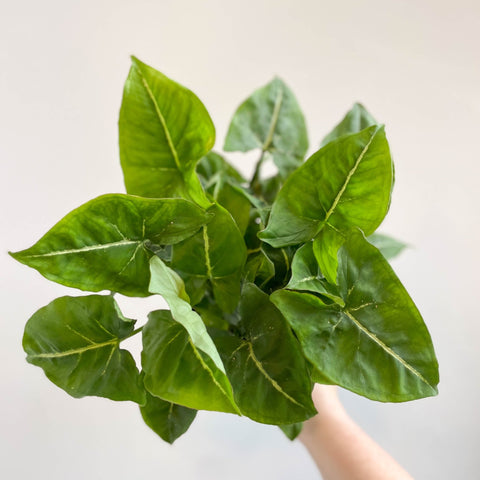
<point x="414" y="64"/>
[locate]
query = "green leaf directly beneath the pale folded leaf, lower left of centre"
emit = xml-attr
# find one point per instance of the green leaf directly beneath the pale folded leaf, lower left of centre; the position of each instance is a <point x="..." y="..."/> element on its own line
<point x="179" y="372"/>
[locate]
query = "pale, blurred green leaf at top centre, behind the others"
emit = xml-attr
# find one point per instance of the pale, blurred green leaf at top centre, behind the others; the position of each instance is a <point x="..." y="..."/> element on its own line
<point x="271" y="120"/>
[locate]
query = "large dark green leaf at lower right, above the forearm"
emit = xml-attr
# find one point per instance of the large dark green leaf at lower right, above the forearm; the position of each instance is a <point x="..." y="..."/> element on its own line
<point x="377" y="345"/>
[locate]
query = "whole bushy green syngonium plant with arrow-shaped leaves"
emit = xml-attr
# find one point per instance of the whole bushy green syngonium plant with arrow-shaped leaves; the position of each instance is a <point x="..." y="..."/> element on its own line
<point x="272" y="284"/>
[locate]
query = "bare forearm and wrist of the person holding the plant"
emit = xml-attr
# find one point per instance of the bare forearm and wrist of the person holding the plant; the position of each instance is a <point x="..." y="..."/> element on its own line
<point x="340" y="448"/>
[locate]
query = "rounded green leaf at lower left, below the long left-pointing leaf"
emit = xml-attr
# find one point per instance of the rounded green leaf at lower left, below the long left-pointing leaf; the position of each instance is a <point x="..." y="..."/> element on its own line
<point x="76" y="342"/>
